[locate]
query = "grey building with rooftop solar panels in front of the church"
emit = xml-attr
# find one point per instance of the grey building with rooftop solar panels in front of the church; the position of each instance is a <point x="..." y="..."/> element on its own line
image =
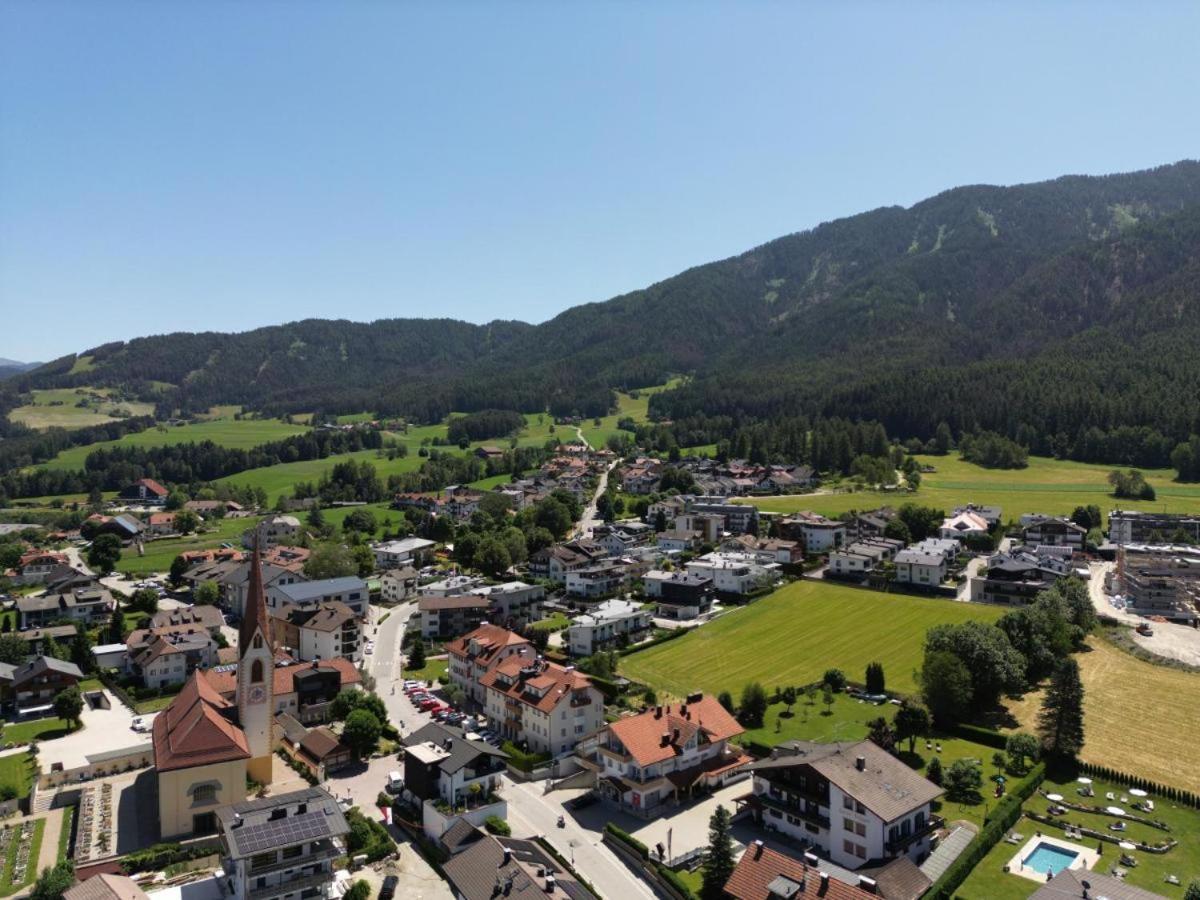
<point x="283" y="848"/>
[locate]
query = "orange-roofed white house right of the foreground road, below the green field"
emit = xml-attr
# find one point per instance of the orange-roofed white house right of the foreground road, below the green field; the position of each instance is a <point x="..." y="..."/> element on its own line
<point x="662" y="755"/>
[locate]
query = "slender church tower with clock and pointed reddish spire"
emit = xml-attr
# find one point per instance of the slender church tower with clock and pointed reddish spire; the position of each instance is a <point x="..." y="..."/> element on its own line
<point x="256" y="676"/>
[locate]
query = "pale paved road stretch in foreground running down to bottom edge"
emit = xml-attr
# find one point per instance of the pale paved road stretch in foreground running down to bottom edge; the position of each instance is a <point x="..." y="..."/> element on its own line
<point x="532" y="813"/>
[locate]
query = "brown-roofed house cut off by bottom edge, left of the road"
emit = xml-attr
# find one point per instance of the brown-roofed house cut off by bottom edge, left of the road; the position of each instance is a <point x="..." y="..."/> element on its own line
<point x="490" y="868"/>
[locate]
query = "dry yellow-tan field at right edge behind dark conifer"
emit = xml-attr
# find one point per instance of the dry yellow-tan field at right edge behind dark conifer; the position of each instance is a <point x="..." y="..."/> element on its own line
<point x="1138" y="718"/>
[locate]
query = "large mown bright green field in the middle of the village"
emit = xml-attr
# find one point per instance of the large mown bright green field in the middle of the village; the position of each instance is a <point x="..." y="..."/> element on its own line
<point x="796" y="634"/>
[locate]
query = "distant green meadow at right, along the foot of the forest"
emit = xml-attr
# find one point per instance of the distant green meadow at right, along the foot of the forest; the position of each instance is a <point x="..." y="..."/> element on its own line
<point x="1052" y="487"/>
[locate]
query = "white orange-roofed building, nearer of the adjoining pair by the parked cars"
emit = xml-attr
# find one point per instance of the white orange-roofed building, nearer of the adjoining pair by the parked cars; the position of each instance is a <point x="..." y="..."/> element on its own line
<point x="544" y="706"/>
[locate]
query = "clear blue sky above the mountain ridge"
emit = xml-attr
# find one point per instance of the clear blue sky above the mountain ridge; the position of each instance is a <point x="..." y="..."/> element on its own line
<point x="223" y="166"/>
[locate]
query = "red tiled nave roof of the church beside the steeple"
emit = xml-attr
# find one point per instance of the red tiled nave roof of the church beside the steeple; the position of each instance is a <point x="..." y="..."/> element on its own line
<point x="194" y="731"/>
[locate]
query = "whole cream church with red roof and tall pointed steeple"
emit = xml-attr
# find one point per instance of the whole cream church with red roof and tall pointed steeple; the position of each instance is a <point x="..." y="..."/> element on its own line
<point x="206" y="746"/>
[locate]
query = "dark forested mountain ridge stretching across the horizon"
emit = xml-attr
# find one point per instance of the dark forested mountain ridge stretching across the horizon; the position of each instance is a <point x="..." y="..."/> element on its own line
<point x="1039" y="311"/>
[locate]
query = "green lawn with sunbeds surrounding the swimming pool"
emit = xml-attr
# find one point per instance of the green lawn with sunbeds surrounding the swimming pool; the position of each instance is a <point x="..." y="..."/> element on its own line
<point x="989" y="881"/>
